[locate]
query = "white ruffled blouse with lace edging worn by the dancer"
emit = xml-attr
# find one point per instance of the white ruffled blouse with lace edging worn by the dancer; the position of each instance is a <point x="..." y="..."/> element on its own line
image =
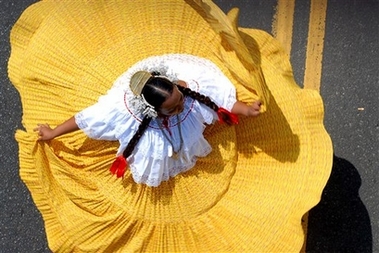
<point x="114" y="118"/>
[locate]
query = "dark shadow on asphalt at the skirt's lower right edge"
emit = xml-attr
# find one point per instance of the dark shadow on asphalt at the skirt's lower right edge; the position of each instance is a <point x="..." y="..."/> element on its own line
<point x="340" y="222"/>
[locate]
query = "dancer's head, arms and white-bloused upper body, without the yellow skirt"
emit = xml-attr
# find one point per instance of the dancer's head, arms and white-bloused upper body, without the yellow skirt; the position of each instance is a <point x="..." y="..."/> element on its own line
<point x="171" y="112"/>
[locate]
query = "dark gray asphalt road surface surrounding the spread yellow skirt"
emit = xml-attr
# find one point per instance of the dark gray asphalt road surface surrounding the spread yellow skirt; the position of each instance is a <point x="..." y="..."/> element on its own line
<point x="346" y="220"/>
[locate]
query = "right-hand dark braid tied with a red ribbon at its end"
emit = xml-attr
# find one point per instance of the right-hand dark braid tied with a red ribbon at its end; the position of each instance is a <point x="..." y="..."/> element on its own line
<point x="223" y="115"/>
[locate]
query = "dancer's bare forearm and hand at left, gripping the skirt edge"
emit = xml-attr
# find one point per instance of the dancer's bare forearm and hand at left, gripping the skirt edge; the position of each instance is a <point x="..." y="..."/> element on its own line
<point x="46" y="133"/>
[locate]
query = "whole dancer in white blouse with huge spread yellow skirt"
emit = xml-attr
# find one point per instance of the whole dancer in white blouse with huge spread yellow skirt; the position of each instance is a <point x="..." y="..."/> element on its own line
<point x="247" y="195"/>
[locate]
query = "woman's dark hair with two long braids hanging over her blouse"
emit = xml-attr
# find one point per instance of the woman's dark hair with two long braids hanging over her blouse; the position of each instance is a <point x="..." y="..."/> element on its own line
<point x="156" y="91"/>
